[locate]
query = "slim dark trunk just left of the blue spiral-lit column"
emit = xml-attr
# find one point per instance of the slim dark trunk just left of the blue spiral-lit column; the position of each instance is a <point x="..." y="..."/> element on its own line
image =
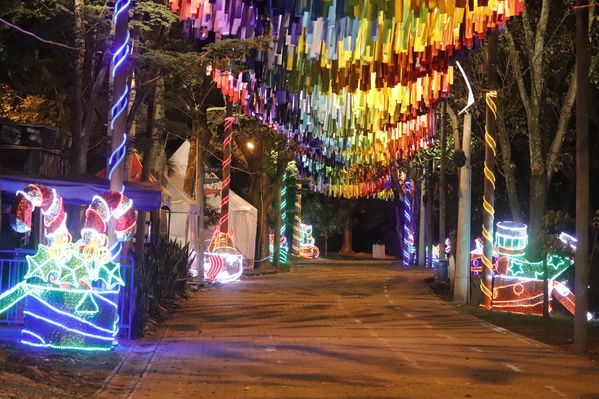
<point x="78" y="152"/>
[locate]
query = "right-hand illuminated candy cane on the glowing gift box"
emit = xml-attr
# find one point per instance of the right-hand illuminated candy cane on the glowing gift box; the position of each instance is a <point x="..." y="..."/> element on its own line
<point x="111" y="204"/>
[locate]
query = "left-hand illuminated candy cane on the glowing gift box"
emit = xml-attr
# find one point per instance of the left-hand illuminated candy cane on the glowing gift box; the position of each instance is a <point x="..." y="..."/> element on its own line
<point x="45" y="198"/>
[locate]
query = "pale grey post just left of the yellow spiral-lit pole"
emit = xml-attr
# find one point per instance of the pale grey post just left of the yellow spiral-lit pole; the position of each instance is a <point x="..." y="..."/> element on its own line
<point x="462" y="267"/>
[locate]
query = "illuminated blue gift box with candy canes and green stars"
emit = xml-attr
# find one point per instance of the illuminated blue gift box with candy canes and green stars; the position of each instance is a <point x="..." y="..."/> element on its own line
<point x="71" y="288"/>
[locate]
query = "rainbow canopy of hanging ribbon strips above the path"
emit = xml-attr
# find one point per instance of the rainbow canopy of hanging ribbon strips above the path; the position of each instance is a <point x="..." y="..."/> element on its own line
<point x="353" y="82"/>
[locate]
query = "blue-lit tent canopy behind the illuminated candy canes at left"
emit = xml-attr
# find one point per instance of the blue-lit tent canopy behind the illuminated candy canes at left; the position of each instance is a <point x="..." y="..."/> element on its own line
<point x="80" y="189"/>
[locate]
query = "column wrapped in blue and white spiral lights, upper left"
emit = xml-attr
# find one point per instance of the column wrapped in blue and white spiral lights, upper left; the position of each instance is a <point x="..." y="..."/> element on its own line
<point x="117" y="127"/>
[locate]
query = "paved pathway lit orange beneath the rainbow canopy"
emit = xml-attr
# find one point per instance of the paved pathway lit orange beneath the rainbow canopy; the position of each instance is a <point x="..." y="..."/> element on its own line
<point x="347" y="332"/>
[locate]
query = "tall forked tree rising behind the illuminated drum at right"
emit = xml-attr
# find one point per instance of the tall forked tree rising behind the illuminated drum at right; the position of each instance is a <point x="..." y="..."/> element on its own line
<point x="532" y="66"/>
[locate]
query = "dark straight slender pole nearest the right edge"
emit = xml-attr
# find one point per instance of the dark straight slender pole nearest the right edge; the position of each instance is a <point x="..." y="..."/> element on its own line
<point x="582" y="179"/>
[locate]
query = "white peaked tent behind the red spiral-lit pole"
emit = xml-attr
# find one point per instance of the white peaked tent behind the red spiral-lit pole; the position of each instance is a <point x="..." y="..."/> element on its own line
<point x="243" y="216"/>
